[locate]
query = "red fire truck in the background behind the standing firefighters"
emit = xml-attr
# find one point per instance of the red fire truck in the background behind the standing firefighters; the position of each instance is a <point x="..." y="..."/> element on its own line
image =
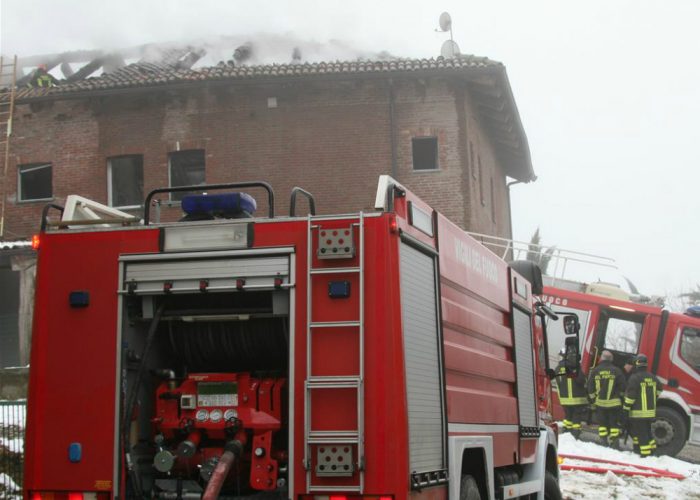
<point x="671" y="341"/>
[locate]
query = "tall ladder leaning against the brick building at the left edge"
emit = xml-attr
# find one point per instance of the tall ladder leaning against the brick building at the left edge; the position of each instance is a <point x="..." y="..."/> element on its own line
<point x="8" y="80"/>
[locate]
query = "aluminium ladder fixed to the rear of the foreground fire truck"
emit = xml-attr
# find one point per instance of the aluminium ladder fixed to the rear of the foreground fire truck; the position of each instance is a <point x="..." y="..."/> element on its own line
<point x="336" y="440"/>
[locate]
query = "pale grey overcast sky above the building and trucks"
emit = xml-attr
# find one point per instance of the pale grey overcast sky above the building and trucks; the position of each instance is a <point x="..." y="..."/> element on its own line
<point x="608" y="92"/>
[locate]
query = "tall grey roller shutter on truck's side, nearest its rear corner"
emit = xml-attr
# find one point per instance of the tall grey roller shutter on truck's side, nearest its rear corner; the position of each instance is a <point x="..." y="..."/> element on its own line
<point x="422" y="360"/>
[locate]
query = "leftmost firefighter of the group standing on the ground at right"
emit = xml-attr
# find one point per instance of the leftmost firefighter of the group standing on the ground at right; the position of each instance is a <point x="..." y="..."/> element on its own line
<point x="571" y="388"/>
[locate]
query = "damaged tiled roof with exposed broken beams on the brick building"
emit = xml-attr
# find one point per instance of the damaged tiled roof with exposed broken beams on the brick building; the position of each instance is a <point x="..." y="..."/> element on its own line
<point x="486" y="80"/>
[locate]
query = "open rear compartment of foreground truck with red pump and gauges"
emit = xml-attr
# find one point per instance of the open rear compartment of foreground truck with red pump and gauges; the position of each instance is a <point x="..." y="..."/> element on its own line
<point x="204" y="370"/>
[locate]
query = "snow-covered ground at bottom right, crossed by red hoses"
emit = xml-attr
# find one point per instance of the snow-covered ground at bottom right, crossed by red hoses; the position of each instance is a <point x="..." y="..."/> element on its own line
<point x="590" y="486"/>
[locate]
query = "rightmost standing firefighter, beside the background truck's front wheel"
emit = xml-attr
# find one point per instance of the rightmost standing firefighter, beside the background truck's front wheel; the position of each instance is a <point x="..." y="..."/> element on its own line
<point x="639" y="410"/>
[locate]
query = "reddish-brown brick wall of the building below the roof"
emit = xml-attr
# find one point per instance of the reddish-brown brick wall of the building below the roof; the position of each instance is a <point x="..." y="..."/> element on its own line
<point x="331" y="138"/>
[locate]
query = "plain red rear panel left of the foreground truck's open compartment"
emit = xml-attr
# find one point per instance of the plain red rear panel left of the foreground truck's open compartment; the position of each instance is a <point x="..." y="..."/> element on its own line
<point x="72" y="380"/>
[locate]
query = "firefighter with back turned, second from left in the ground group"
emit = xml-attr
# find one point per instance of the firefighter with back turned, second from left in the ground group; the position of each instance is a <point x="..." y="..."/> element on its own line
<point x="606" y="388"/>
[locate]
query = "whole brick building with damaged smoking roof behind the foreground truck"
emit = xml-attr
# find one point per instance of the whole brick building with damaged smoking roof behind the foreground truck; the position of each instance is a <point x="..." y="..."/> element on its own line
<point x="448" y="129"/>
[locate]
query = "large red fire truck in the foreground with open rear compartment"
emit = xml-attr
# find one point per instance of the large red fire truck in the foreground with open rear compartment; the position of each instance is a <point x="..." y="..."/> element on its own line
<point x="381" y="355"/>
